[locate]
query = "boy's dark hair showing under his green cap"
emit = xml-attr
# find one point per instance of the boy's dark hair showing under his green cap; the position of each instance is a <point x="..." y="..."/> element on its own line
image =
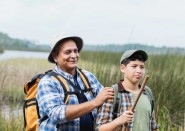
<point x="133" y="57"/>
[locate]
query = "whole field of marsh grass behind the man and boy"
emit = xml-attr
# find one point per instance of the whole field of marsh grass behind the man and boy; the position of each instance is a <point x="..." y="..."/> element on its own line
<point x="166" y="80"/>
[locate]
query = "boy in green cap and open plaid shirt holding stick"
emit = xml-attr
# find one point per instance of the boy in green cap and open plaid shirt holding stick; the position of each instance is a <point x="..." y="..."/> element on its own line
<point x="132" y="65"/>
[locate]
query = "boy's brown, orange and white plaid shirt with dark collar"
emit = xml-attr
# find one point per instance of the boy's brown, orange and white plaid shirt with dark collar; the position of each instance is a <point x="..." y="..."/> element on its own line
<point x="105" y="112"/>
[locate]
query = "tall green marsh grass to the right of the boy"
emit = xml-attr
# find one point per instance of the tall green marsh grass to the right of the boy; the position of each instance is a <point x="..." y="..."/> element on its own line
<point x="168" y="85"/>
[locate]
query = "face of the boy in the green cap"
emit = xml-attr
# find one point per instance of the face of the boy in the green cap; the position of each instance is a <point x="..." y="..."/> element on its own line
<point x="133" y="71"/>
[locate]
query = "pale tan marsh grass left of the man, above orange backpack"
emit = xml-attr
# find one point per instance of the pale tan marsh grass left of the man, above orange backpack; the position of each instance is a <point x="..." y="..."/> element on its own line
<point x="14" y="74"/>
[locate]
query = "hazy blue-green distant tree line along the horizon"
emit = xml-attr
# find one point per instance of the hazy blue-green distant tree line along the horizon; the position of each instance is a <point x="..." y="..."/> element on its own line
<point x="9" y="43"/>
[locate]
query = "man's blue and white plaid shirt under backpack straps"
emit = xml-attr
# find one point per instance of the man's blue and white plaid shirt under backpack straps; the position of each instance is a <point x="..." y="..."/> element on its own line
<point x="50" y="97"/>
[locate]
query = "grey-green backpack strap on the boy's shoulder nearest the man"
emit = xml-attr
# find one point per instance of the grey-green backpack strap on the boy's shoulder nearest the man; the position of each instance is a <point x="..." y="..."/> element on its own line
<point x="117" y="101"/>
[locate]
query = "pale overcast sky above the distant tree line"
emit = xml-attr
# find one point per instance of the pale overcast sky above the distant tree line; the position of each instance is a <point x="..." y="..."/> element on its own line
<point x="151" y="22"/>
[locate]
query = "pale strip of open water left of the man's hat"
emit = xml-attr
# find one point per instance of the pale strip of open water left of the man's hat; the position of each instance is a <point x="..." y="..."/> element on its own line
<point x="23" y="54"/>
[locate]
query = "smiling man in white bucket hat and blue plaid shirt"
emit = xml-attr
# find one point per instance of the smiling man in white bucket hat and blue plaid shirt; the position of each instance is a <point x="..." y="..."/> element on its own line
<point x="79" y="113"/>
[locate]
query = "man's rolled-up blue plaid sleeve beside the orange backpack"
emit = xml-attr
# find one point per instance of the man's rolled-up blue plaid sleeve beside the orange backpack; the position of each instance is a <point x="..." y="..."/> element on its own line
<point x="51" y="100"/>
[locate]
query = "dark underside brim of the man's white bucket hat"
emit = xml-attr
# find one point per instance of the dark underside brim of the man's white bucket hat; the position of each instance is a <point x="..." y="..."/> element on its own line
<point x="77" y="40"/>
